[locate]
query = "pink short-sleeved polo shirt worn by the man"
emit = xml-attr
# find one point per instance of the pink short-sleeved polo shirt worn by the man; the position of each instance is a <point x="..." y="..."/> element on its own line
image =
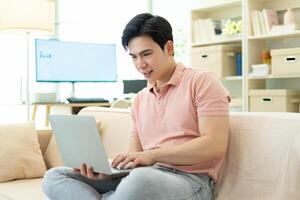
<point x="170" y="117"/>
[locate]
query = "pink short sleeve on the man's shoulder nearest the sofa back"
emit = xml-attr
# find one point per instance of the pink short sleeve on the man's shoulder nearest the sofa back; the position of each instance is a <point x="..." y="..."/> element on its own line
<point x="211" y="97"/>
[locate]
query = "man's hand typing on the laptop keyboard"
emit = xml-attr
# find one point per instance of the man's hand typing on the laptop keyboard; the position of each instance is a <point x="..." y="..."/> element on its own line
<point x="132" y="160"/>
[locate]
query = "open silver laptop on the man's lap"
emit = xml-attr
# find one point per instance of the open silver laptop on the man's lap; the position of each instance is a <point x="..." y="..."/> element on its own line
<point x="79" y="141"/>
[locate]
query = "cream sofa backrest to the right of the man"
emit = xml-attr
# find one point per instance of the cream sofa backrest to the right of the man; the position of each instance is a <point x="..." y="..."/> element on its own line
<point x="263" y="158"/>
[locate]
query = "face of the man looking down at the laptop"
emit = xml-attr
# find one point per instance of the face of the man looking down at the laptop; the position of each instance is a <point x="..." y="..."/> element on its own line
<point x="148" y="58"/>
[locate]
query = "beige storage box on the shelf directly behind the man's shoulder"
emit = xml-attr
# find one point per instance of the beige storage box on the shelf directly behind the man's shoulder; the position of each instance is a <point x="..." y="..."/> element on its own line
<point x="219" y="59"/>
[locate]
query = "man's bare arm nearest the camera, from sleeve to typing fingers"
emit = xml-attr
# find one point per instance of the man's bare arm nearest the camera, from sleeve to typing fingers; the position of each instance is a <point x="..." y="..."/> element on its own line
<point x="211" y="145"/>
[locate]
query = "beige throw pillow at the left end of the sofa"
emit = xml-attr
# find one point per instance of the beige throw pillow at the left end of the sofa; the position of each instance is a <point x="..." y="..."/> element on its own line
<point x="20" y="154"/>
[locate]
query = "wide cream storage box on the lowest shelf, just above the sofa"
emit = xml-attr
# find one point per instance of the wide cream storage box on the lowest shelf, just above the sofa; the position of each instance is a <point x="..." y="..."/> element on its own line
<point x="272" y="100"/>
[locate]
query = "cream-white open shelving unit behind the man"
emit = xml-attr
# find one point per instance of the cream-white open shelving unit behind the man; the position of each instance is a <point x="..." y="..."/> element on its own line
<point x="251" y="45"/>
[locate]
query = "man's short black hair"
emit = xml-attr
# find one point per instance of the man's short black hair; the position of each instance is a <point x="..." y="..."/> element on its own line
<point x="146" y="24"/>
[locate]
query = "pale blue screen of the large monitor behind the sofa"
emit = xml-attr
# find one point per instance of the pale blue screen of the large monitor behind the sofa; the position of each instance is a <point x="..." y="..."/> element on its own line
<point x="59" y="61"/>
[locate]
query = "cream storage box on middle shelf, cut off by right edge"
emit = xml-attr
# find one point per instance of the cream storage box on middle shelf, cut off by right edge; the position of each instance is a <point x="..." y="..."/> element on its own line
<point x="285" y="61"/>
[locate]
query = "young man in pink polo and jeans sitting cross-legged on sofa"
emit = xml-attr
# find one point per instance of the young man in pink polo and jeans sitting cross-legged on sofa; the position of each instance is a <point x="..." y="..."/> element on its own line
<point x="180" y="129"/>
